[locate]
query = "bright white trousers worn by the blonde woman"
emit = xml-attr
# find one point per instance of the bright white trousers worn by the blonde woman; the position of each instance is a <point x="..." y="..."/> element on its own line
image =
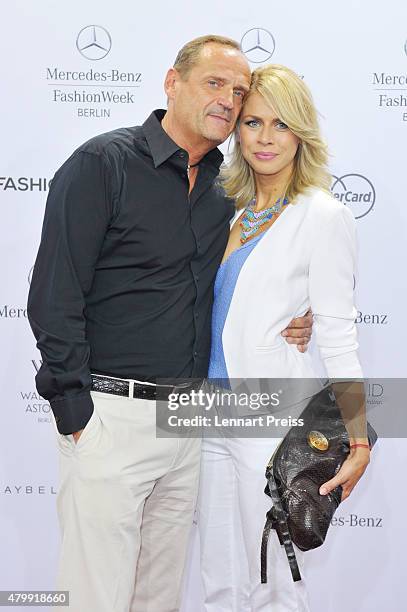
<point x="232" y="510"/>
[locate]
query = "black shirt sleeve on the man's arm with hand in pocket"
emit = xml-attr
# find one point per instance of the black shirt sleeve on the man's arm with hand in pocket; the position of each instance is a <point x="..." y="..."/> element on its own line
<point x="78" y="212"/>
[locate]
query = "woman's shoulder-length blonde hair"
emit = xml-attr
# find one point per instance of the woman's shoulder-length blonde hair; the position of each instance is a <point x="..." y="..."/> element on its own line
<point x="289" y="97"/>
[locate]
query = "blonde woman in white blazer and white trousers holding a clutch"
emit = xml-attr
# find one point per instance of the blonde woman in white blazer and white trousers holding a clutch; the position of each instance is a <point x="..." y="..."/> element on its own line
<point x="292" y="247"/>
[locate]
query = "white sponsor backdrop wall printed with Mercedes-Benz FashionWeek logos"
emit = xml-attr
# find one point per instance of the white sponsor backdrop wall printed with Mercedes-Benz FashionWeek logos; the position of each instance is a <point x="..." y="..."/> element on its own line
<point x="59" y="89"/>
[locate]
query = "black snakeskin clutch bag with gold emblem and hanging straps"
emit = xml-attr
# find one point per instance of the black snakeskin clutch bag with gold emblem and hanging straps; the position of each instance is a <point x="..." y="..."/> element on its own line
<point x="307" y="457"/>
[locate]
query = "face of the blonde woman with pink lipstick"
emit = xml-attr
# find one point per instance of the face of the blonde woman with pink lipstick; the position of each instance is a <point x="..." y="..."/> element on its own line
<point x="267" y="144"/>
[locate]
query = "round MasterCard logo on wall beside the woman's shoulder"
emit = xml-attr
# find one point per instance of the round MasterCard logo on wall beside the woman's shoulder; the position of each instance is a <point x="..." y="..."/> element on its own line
<point x="356" y="191"/>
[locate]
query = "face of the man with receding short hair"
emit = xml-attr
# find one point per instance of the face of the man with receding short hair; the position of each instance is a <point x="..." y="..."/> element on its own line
<point x="207" y="102"/>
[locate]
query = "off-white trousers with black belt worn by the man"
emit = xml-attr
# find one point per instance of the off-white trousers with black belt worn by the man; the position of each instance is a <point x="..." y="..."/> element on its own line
<point x="125" y="506"/>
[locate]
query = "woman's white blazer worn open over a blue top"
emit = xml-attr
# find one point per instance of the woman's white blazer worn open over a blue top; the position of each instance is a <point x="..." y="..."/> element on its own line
<point x="307" y="258"/>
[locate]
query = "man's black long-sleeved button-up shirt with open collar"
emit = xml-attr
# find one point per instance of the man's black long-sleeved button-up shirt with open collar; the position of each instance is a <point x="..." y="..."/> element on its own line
<point x="123" y="280"/>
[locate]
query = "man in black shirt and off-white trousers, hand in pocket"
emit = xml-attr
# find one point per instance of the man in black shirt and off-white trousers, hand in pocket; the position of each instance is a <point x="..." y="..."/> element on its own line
<point x="134" y="230"/>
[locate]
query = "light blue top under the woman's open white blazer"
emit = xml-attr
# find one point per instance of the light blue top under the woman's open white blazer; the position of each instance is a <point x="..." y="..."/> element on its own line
<point x="225" y="284"/>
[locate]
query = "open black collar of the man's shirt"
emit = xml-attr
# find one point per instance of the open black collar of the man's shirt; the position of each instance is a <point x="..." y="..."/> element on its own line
<point x="162" y="147"/>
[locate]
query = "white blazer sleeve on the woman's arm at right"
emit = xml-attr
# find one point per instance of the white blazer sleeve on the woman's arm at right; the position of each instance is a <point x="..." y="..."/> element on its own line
<point x="331" y="280"/>
